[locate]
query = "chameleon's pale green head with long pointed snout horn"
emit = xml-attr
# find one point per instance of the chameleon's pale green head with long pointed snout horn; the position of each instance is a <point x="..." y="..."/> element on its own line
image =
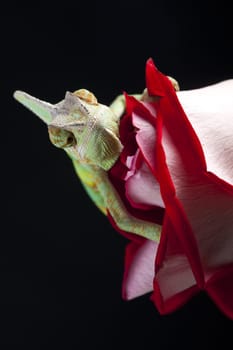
<point x="84" y="128"/>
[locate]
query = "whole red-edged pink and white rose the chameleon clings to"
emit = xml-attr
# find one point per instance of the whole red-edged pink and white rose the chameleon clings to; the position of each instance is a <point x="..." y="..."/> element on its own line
<point x="176" y="169"/>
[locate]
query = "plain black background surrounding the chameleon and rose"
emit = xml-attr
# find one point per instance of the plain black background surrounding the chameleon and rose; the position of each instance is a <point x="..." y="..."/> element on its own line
<point x="61" y="263"/>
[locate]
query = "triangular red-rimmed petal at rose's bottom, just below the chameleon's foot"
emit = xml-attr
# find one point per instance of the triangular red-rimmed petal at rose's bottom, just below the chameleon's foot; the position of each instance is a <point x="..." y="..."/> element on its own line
<point x="174" y="283"/>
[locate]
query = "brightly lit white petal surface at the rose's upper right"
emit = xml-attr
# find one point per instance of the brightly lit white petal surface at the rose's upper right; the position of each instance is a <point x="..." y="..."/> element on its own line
<point x="210" y="111"/>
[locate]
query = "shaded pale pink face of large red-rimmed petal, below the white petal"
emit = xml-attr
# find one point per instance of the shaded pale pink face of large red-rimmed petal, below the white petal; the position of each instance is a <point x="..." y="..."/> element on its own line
<point x="208" y="207"/>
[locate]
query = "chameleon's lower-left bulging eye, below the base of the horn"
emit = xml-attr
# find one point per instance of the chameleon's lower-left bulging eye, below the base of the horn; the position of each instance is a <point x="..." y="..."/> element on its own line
<point x="60" y="137"/>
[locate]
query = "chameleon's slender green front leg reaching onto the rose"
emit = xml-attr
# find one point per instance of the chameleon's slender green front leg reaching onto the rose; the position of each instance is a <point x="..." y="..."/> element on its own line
<point x="121" y="216"/>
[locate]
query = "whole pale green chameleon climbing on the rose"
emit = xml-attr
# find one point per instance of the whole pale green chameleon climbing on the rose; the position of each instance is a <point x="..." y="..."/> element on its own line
<point x="89" y="133"/>
